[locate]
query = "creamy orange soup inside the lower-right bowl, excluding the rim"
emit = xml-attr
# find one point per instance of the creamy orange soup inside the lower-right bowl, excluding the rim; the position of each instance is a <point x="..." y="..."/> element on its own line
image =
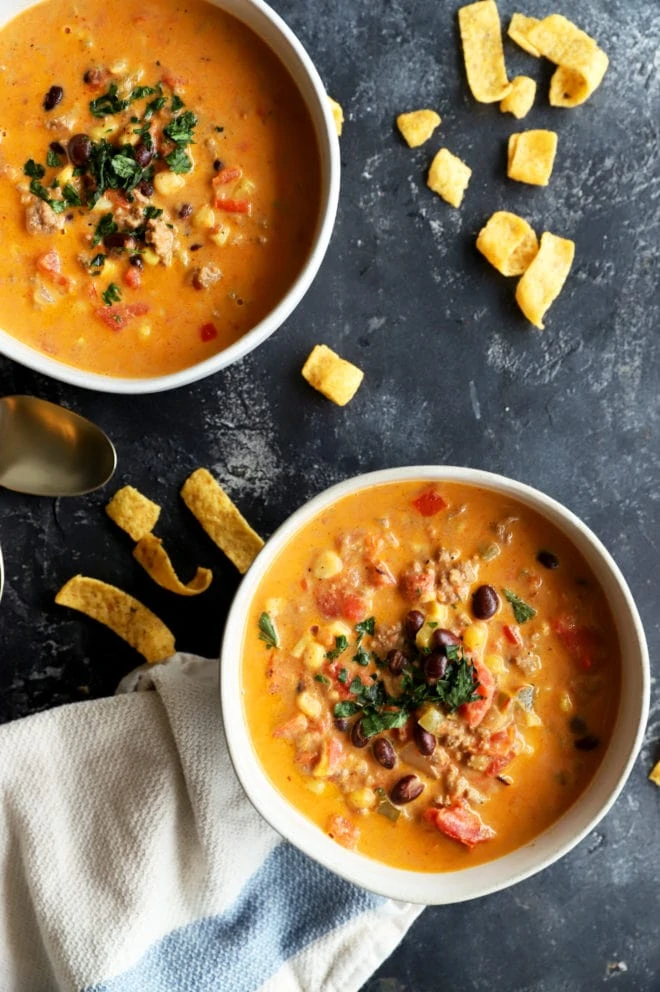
<point x="431" y="674"/>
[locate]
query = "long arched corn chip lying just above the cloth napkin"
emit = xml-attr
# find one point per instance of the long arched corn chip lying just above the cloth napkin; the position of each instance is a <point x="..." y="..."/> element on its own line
<point x="132" y="621"/>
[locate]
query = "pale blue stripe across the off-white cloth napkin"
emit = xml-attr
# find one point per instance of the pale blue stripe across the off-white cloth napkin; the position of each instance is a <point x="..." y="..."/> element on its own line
<point x="288" y="903"/>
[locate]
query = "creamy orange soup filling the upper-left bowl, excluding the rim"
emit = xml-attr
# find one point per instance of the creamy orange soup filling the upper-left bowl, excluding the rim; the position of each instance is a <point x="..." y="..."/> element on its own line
<point x="159" y="182"/>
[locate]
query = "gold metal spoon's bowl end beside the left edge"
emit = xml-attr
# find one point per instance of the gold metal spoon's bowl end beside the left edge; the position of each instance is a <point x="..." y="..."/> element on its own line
<point x="47" y="450"/>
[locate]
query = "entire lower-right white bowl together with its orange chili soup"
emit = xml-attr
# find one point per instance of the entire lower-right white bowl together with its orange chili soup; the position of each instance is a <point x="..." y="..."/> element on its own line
<point x="422" y="684"/>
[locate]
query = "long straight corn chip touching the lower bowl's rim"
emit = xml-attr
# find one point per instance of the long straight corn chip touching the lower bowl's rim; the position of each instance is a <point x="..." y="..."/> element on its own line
<point x="221" y="519"/>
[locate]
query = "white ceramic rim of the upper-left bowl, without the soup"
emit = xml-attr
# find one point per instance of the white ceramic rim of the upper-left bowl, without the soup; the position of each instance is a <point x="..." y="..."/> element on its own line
<point x="270" y="27"/>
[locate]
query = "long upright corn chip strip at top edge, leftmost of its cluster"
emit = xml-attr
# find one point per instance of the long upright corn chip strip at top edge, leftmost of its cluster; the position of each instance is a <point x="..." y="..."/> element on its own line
<point x="481" y="37"/>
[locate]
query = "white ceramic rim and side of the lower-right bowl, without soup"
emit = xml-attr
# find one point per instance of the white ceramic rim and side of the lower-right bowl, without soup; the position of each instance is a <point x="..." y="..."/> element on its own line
<point x="557" y="840"/>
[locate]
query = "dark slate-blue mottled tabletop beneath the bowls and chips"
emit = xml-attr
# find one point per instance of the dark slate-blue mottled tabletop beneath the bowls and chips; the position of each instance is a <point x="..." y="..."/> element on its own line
<point x="453" y="375"/>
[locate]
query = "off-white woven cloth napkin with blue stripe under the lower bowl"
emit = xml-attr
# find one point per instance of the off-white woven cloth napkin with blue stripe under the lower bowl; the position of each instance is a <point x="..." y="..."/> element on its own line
<point x="130" y="858"/>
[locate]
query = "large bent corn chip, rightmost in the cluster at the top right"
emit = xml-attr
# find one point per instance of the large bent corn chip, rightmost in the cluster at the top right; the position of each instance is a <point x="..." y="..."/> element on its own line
<point x="582" y="64"/>
